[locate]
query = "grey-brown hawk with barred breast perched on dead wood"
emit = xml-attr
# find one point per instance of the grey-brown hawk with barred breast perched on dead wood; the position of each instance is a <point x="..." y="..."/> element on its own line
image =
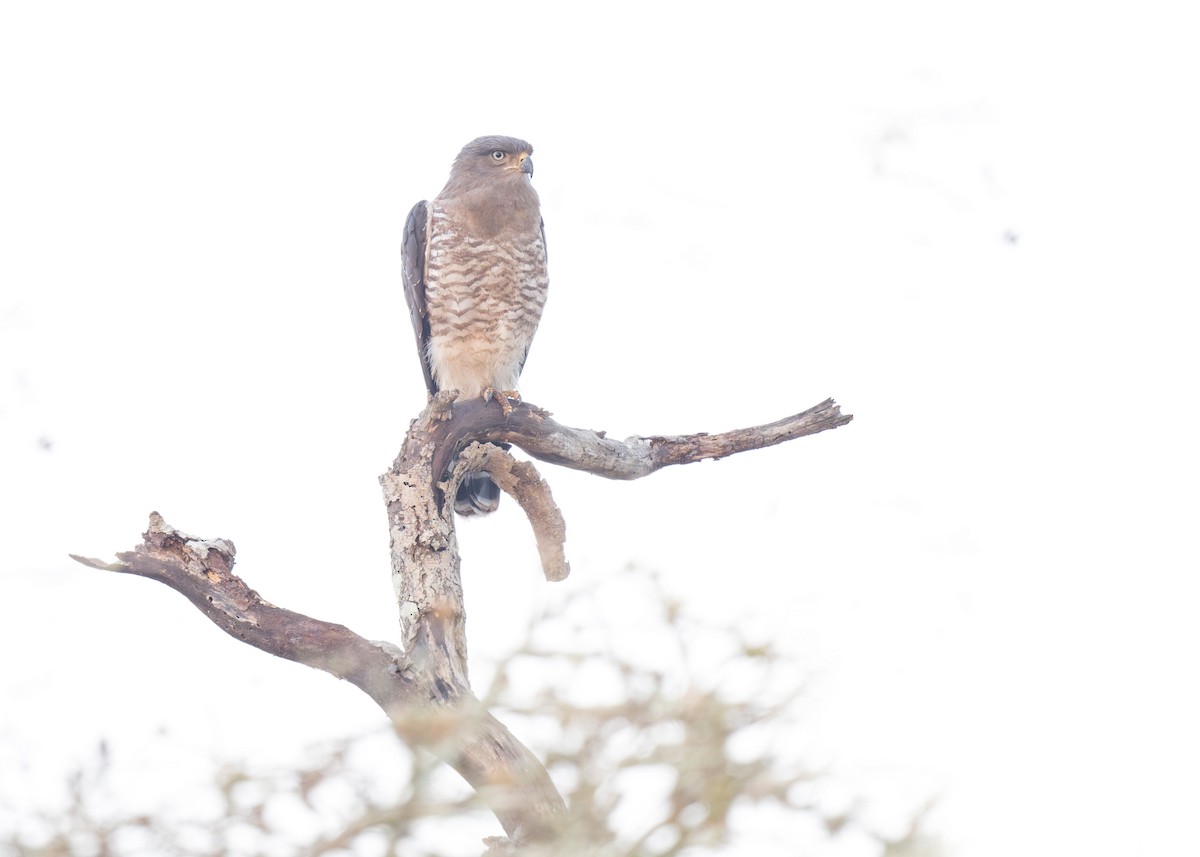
<point x="475" y="269"/>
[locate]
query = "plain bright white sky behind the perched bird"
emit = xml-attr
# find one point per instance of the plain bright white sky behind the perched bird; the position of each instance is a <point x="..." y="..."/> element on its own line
<point x="749" y="209"/>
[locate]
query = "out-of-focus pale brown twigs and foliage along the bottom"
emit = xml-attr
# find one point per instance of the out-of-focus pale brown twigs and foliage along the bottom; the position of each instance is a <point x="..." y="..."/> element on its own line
<point x="667" y="736"/>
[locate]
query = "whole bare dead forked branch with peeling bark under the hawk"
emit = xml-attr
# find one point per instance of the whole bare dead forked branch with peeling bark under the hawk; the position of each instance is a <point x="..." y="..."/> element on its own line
<point x="423" y="685"/>
